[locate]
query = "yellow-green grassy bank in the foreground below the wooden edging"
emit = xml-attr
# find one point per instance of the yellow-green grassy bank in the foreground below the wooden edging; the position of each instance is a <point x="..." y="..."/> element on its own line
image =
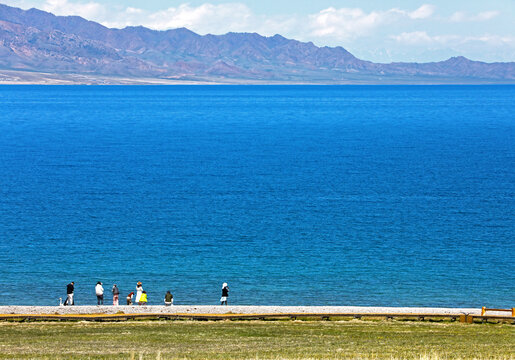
<point x="257" y="340"/>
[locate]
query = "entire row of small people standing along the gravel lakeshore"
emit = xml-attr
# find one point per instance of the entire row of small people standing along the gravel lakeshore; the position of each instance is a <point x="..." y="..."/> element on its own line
<point x="141" y="295"/>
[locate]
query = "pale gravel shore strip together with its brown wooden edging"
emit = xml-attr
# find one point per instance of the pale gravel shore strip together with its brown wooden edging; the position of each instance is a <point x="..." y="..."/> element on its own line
<point x="217" y="312"/>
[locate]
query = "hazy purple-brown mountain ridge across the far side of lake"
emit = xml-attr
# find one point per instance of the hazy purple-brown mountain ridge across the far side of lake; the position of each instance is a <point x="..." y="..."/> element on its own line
<point x="34" y="40"/>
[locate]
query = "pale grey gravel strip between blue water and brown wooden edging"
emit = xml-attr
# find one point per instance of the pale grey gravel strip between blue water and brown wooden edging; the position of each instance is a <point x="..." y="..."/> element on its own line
<point x="211" y="309"/>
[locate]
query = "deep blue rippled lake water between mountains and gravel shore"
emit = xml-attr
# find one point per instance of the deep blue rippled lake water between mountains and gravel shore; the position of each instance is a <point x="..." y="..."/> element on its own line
<point x="352" y="195"/>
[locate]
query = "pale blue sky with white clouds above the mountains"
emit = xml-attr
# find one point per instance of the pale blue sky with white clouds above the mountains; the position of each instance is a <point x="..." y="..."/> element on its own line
<point x="380" y="31"/>
